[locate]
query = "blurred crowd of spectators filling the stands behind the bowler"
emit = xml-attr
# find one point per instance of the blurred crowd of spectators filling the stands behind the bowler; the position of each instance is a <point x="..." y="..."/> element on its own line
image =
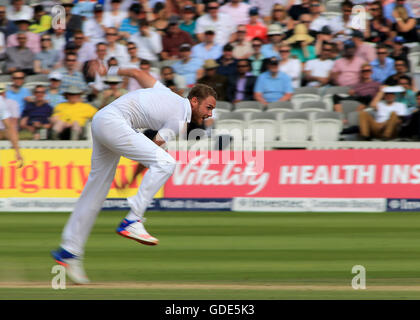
<point x="260" y="50"/>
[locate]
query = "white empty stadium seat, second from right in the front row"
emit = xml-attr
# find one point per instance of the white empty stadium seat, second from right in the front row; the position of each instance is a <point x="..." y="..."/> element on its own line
<point x="294" y="126"/>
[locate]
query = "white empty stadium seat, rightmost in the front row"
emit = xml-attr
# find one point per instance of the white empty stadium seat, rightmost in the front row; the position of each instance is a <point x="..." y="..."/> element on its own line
<point x="326" y="126"/>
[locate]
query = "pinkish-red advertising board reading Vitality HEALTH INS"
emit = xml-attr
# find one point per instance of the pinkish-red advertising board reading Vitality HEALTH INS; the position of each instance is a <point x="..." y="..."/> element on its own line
<point x="358" y="173"/>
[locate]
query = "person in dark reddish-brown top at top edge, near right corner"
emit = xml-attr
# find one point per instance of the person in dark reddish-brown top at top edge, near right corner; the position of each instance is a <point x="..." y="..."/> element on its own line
<point x="378" y="28"/>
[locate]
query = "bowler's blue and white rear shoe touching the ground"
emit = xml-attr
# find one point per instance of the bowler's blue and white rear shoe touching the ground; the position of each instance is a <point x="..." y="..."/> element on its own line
<point x="73" y="265"/>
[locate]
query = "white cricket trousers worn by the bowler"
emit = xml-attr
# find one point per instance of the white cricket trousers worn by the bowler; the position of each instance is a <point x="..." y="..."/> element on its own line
<point x="113" y="137"/>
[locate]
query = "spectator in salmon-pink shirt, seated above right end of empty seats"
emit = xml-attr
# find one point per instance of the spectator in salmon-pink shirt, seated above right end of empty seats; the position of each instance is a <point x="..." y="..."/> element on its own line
<point x="346" y="70"/>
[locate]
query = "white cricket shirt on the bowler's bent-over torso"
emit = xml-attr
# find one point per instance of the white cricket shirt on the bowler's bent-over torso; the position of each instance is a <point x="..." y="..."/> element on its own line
<point x="156" y="108"/>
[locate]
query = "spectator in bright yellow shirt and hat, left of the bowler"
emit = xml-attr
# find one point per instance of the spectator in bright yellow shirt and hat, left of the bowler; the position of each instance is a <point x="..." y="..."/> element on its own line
<point x="72" y="115"/>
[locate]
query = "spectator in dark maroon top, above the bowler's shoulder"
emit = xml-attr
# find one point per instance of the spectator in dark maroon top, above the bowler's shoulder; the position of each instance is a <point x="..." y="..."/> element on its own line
<point x="172" y="39"/>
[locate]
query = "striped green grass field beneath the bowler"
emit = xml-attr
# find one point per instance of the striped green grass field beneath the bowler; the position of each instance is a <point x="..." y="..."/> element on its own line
<point x="220" y="255"/>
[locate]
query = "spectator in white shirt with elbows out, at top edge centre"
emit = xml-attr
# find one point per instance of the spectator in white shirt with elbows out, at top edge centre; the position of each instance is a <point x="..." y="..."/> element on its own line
<point x="221" y="23"/>
